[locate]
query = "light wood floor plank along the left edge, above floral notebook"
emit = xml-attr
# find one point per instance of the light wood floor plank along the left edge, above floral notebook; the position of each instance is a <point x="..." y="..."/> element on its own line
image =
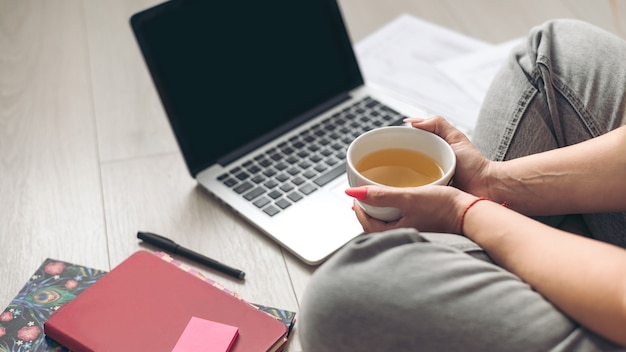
<point x="51" y="203"/>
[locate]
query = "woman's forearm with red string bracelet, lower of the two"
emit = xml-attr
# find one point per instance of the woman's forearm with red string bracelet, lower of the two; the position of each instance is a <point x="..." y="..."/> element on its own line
<point x="583" y="277"/>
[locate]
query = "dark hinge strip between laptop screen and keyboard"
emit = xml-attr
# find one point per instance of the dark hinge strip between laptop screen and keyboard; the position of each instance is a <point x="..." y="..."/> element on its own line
<point x="280" y="130"/>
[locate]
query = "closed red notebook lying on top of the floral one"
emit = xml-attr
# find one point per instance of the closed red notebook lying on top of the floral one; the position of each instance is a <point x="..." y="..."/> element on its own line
<point x="145" y="304"/>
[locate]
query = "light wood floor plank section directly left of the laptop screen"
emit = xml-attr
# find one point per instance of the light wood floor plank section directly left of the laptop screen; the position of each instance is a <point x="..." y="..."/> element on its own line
<point x="130" y="119"/>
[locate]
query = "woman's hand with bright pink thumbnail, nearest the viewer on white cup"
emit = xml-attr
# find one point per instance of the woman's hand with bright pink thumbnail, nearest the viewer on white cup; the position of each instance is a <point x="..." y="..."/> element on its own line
<point x="426" y="208"/>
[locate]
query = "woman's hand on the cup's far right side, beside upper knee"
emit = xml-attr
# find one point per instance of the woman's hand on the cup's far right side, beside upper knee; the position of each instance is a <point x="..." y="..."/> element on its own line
<point x="472" y="168"/>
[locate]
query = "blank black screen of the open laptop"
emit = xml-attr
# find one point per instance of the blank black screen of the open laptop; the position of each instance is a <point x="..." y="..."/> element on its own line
<point x="232" y="74"/>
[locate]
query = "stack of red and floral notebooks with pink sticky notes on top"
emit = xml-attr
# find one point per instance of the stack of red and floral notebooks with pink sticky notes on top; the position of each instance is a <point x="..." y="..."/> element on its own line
<point x="149" y="302"/>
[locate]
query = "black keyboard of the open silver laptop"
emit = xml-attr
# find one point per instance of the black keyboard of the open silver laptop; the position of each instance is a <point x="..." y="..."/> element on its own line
<point x="281" y="176"/>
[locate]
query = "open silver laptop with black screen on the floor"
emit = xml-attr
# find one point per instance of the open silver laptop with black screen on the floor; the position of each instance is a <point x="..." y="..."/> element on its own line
<point x="264" y="98"/>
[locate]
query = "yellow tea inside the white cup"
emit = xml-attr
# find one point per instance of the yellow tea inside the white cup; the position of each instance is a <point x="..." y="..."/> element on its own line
<point x="399" y="167"/>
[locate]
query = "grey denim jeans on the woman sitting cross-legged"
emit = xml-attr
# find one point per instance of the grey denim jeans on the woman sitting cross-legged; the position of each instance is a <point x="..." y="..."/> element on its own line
<point x="402" y="290"/>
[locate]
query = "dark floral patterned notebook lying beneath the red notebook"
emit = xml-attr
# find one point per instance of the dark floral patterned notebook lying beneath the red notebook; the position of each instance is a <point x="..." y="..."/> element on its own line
<point x="57" y="282"/>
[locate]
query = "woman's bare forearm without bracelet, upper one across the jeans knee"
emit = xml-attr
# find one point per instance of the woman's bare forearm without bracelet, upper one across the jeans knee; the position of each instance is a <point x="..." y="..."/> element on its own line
<point x="583" y="178"/>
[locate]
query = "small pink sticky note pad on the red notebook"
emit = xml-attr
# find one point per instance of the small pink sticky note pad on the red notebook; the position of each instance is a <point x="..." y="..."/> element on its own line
<point x="206" y="336"/>
